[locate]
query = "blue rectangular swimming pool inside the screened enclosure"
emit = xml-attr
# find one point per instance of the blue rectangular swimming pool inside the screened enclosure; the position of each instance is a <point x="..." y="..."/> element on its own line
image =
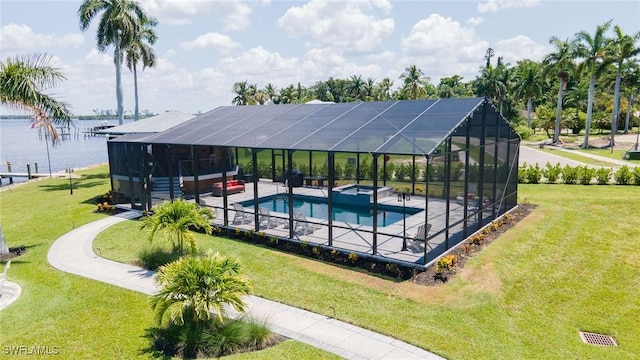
<point x="316" y="207"/>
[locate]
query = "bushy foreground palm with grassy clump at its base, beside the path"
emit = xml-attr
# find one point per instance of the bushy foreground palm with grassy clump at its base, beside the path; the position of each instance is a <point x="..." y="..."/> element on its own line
<point x="191" y="309"/>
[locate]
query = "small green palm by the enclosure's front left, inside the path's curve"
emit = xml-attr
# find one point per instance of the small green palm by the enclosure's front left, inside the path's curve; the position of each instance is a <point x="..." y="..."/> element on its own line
<point x="177" y="218"/>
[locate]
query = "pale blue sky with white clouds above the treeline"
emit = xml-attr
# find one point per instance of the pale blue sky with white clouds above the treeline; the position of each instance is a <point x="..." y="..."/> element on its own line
<point x="205" y="46"/>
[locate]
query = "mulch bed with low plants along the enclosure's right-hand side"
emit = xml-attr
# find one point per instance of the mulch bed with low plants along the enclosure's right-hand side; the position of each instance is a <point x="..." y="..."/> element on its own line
<point x="468" y="250"/>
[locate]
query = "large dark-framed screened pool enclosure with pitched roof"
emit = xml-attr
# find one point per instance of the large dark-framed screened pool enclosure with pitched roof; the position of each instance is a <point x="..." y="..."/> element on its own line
<point x="373" y="178"/>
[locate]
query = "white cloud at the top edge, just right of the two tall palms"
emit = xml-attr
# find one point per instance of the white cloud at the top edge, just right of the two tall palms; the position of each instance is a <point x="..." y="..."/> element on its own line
<point x="233" y="14"/>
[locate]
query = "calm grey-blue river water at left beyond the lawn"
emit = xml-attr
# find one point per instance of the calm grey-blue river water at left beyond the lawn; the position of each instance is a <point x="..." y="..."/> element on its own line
<point x="21" y="145"/>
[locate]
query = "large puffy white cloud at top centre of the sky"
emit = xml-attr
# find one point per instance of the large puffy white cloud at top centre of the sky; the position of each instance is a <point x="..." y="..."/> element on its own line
<point x="350" y="26"/>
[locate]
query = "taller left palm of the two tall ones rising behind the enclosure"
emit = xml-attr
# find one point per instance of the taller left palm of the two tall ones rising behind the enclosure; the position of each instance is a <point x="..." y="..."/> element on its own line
<point x="119" y="25"/>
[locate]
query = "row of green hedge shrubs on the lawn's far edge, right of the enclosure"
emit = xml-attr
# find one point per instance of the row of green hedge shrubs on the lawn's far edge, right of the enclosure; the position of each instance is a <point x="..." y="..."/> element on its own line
<point x="585" y="175"/>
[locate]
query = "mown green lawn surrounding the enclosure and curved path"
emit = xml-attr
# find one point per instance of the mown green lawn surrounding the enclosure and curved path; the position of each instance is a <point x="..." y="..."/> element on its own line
<point x="561" y="270"/>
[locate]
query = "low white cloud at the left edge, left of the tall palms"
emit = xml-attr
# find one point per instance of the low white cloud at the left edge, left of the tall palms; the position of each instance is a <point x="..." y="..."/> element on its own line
<point x="18" y="38"/>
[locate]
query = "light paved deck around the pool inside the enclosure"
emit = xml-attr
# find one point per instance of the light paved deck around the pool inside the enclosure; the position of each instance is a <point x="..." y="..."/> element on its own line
<point x="348" y="236"/>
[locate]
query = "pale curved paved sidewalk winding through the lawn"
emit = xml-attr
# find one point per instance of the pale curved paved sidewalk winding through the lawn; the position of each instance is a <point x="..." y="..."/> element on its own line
<point x="73" y="253"/>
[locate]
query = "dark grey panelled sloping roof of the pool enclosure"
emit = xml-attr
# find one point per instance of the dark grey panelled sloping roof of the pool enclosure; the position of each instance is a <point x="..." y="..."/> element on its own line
<point x="401" y="127"/>
